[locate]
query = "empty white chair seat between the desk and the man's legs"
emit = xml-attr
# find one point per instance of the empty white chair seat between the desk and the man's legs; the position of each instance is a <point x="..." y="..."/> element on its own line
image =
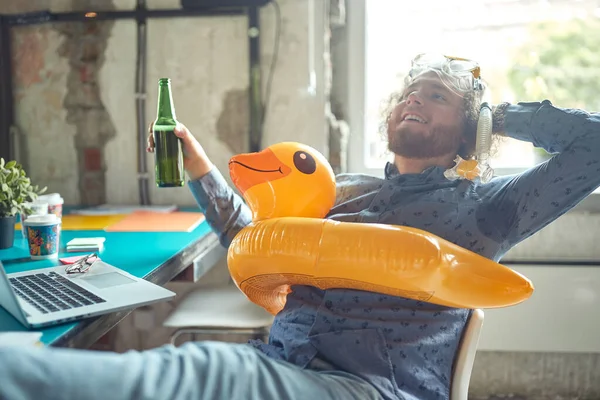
<point x="221" y="310"/>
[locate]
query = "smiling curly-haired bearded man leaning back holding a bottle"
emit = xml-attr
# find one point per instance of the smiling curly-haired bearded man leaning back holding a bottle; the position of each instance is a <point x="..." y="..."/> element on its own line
<point x="347" y="344"/>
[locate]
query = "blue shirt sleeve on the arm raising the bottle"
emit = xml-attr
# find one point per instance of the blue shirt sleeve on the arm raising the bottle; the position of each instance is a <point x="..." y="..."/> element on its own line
<point x="225" y="210"/>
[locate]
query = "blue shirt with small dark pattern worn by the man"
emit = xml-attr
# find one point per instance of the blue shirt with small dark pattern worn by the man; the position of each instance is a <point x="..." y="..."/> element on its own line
<point x="407" y="348"/>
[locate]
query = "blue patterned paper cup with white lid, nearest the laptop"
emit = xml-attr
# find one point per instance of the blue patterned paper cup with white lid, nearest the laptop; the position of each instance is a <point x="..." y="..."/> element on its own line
<point x="43" y="236"/>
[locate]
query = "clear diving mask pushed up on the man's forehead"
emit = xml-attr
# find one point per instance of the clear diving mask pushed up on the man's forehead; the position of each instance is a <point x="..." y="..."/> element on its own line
<point x="461" y="73"/>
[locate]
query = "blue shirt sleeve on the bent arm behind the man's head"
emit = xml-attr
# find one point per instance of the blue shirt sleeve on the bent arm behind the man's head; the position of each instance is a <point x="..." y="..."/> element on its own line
<point x="522" y="204"/>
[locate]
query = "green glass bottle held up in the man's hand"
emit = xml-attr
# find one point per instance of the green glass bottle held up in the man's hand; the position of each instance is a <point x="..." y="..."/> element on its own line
<point x="168" y="151"/>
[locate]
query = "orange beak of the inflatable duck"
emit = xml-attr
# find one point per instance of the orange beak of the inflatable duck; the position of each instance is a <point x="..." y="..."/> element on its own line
<point x="251" y="169"/>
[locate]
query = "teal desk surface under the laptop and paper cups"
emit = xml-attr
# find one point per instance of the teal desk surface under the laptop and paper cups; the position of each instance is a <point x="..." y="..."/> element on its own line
<point x="155" y="256"/>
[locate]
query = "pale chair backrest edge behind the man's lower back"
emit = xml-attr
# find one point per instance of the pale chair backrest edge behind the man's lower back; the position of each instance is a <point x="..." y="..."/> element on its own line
<point x="459" y="389"/>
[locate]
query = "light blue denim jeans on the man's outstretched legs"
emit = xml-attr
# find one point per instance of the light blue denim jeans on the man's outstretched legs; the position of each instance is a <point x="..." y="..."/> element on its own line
<point x="195" y="370"/>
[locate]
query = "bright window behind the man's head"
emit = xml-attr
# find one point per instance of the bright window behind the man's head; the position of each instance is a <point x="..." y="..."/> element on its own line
<point x="529" y="50"/>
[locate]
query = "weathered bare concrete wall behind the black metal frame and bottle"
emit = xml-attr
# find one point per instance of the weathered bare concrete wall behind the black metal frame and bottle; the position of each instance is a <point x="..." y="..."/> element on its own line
<point x="75" y="101"/>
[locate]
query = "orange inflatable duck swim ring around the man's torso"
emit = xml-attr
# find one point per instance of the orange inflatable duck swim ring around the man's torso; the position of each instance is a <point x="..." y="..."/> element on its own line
<point x="290" y="188"/>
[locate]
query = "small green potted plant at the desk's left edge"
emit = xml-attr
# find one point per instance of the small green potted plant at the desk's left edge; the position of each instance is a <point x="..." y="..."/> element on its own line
<point x="16" y="195"/>
